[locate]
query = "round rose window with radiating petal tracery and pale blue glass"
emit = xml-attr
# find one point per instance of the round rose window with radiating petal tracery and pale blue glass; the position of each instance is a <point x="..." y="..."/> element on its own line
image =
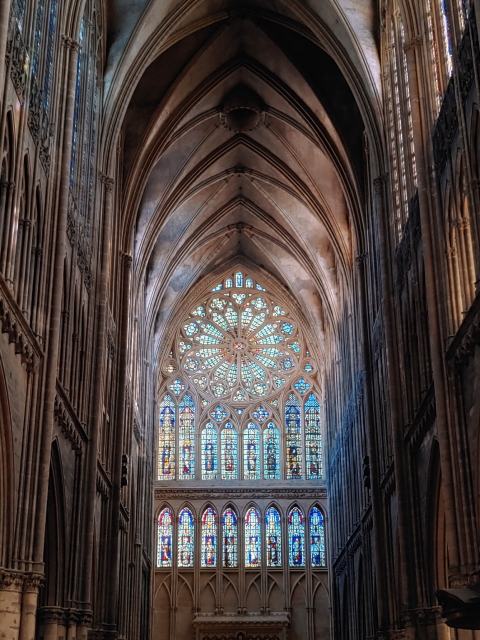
<point x="239" y="343"/>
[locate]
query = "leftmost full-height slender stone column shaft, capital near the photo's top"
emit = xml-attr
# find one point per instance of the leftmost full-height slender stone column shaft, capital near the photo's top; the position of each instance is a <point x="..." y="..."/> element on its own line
<point x="72" y="49"/>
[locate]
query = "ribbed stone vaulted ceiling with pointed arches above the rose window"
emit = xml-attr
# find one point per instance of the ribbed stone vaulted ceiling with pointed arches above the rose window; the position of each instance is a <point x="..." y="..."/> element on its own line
<point x="243" y="136"/>
